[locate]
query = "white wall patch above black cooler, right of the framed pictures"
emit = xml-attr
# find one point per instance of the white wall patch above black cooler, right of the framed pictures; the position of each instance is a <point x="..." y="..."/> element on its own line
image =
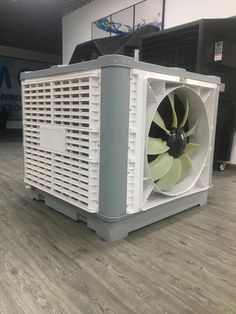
<point x="178" y="12"/>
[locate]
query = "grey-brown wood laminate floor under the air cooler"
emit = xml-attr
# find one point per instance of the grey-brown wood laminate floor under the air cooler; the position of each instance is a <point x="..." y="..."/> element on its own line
<point x="51" y="264"/>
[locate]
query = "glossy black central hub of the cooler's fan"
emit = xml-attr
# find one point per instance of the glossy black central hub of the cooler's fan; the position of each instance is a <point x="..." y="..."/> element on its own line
<point x="177" y="142"/>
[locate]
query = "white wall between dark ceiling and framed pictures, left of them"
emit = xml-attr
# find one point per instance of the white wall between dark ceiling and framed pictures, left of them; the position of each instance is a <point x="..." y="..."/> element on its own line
<point x="76" y="26"/>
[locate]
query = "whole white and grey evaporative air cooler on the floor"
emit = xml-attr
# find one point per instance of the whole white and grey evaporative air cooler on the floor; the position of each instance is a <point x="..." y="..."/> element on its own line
<point x="118" y="143"/>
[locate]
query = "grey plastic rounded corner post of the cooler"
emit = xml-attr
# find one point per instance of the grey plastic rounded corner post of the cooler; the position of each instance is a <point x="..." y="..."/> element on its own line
<point x="115" y="94"/>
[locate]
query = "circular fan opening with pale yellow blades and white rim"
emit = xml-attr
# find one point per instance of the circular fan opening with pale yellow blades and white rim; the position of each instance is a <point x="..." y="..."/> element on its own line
<point x="178" y="142"/>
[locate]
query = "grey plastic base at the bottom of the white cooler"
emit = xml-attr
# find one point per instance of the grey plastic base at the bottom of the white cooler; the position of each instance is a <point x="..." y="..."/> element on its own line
<point x="113" y="229"/>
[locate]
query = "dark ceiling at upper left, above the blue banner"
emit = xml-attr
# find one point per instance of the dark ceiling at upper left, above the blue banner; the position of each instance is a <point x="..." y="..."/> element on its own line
<point x="35" y="24"/>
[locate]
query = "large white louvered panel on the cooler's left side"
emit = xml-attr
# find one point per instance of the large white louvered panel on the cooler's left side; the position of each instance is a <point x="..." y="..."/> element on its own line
<point x="61" y="117"/>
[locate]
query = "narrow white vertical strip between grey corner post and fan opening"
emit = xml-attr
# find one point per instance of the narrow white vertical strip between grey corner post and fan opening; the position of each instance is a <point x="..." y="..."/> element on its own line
<point x="136" y="146"/>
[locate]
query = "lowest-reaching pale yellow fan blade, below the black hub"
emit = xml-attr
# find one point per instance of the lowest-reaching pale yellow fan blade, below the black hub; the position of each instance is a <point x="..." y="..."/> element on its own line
<point x="167" y="182"/>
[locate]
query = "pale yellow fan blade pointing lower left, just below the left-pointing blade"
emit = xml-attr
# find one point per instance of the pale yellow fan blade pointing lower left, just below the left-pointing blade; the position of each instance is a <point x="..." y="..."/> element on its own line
<point x="160" y="166"/>
